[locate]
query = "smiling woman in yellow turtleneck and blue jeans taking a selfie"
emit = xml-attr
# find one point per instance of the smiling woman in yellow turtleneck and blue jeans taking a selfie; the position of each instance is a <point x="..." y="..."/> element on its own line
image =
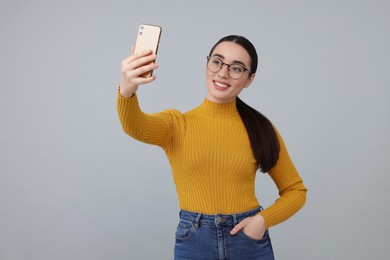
<point x="214" y="151"/>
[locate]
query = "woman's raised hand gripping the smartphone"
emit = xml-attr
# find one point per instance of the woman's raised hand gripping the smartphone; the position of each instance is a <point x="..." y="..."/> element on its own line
<point x="134" y="66"/>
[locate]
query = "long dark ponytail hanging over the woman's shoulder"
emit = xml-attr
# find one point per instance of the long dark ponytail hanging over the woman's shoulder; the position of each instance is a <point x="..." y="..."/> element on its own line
<point x="262" y="136"/>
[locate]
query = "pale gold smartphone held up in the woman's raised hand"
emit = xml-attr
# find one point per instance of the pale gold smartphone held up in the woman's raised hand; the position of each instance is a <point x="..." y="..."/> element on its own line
<point x="148" y="38"/>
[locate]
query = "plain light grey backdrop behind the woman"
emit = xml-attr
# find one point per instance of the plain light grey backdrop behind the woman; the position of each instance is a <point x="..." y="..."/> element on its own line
<point x="74" y="186"/>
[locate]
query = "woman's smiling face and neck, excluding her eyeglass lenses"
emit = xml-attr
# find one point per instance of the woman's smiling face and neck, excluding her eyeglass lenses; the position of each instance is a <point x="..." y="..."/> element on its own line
<point x="221" y="88"/>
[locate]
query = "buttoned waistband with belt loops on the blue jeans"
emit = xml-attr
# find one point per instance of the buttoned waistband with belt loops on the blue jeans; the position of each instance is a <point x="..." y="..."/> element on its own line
<point x="217" y="219"/>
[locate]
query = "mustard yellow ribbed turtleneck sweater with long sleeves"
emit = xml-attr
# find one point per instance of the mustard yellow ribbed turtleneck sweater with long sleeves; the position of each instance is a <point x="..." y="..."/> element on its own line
<point x="211" y="159"/>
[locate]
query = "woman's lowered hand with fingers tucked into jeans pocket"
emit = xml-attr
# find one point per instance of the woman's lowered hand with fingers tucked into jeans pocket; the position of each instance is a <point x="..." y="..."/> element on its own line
<point x="254" y="227"/>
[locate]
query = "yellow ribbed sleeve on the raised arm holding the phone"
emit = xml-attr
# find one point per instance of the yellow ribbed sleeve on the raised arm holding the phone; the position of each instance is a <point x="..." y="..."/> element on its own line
<point x="156" y="129"/>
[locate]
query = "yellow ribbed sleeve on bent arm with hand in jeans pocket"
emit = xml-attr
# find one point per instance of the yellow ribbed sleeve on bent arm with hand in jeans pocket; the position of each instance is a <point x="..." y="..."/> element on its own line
<point x="292" y="191"/>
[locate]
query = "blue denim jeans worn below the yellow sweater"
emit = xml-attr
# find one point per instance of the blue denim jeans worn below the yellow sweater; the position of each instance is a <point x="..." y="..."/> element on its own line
<point x="207" y="237"/>
